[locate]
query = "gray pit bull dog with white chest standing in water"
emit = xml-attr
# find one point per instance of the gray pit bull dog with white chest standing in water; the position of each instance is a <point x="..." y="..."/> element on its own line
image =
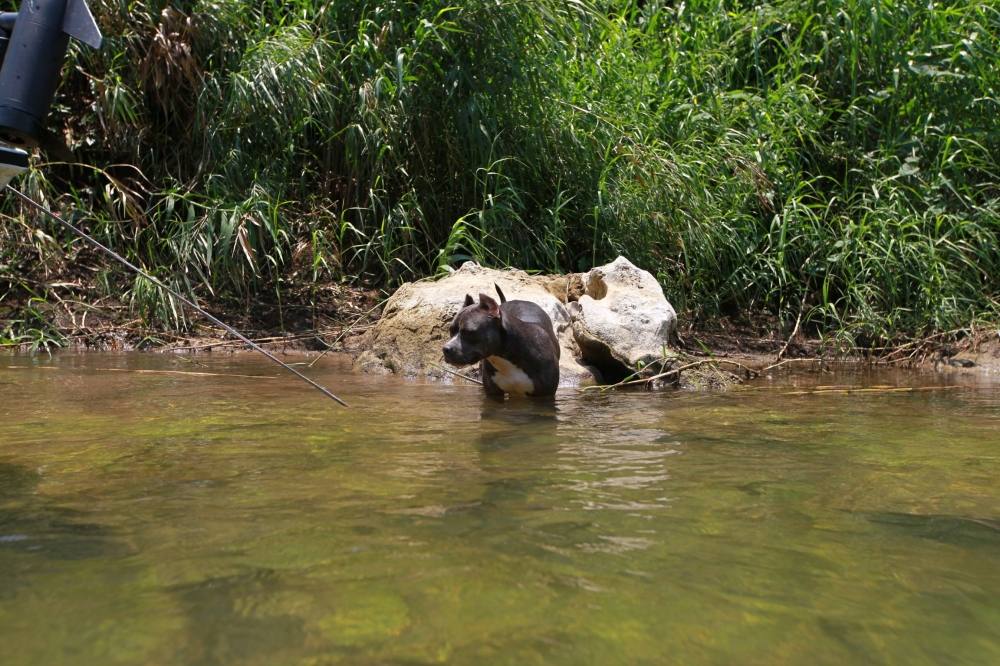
<point x="514" y="342"/>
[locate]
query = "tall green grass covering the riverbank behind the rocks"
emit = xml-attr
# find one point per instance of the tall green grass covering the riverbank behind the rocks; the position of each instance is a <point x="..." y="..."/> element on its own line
<point x="836" y="160"/>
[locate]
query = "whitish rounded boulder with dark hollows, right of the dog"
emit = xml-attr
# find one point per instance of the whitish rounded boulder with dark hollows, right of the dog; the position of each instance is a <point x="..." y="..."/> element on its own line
<point x="623" y="321"/>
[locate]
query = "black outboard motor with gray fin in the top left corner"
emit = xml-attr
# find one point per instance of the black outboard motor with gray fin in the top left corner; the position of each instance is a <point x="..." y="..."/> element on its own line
<point x="33" y="44"/>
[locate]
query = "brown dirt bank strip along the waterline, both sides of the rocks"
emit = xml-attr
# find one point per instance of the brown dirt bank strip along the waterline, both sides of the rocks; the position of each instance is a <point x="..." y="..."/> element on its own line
<point x="335" y="318"/>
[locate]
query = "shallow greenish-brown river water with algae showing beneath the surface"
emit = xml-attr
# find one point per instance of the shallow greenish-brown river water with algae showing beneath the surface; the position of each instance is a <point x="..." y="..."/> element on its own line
<point x="151" y="518"/>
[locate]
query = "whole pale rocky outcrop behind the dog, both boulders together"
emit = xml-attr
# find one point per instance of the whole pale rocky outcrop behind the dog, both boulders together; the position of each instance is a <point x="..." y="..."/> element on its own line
<point x="608" y="321"/>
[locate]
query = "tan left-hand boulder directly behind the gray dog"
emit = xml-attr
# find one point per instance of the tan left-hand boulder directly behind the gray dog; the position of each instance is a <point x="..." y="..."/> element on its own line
<point x="408" y="337"/>
